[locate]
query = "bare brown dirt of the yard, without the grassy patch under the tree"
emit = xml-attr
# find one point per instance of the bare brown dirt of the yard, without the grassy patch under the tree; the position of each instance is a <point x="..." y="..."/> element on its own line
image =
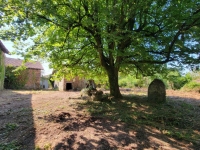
<point x="56" y="120"/>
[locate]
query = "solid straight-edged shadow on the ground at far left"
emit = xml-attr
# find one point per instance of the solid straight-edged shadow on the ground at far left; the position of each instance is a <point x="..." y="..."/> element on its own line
<point x="16" y="121"/>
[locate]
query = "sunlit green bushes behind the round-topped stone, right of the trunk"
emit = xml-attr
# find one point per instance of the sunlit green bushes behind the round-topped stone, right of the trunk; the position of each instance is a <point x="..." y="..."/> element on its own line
<point x="173" y="79"/>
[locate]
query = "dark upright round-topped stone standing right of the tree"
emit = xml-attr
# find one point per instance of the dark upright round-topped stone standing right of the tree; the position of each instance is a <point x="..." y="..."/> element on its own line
<point x="157" y="91"/>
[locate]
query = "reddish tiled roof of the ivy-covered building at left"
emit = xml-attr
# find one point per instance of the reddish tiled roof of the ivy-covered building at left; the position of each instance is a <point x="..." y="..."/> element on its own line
<point x="18" y="62"/>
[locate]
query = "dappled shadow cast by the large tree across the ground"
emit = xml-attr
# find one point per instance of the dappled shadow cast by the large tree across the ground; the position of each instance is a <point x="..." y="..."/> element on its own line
<point x="131" y="123"/>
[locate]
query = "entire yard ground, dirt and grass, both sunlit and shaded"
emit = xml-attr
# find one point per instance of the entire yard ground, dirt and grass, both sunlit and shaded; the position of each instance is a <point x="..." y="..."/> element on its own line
<point x="128" y="123"/>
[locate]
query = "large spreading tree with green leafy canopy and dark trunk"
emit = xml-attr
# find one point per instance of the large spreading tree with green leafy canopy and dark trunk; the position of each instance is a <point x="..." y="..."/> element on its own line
<point x="106" y="35"/>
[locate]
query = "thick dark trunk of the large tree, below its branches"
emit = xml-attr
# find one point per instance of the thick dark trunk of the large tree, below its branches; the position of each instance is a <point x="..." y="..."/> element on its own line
<point x="113" y="82"/>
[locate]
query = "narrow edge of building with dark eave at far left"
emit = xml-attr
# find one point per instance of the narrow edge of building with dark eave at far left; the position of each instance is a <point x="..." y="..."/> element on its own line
<point x="3" y="50"/>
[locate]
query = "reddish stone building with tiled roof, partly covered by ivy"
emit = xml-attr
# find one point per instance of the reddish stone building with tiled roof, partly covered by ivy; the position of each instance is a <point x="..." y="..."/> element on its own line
<point x="32" y="72"/>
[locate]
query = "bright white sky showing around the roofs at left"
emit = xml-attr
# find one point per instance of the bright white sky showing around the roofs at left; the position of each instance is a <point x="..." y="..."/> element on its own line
<point x="9" y="46"/>
